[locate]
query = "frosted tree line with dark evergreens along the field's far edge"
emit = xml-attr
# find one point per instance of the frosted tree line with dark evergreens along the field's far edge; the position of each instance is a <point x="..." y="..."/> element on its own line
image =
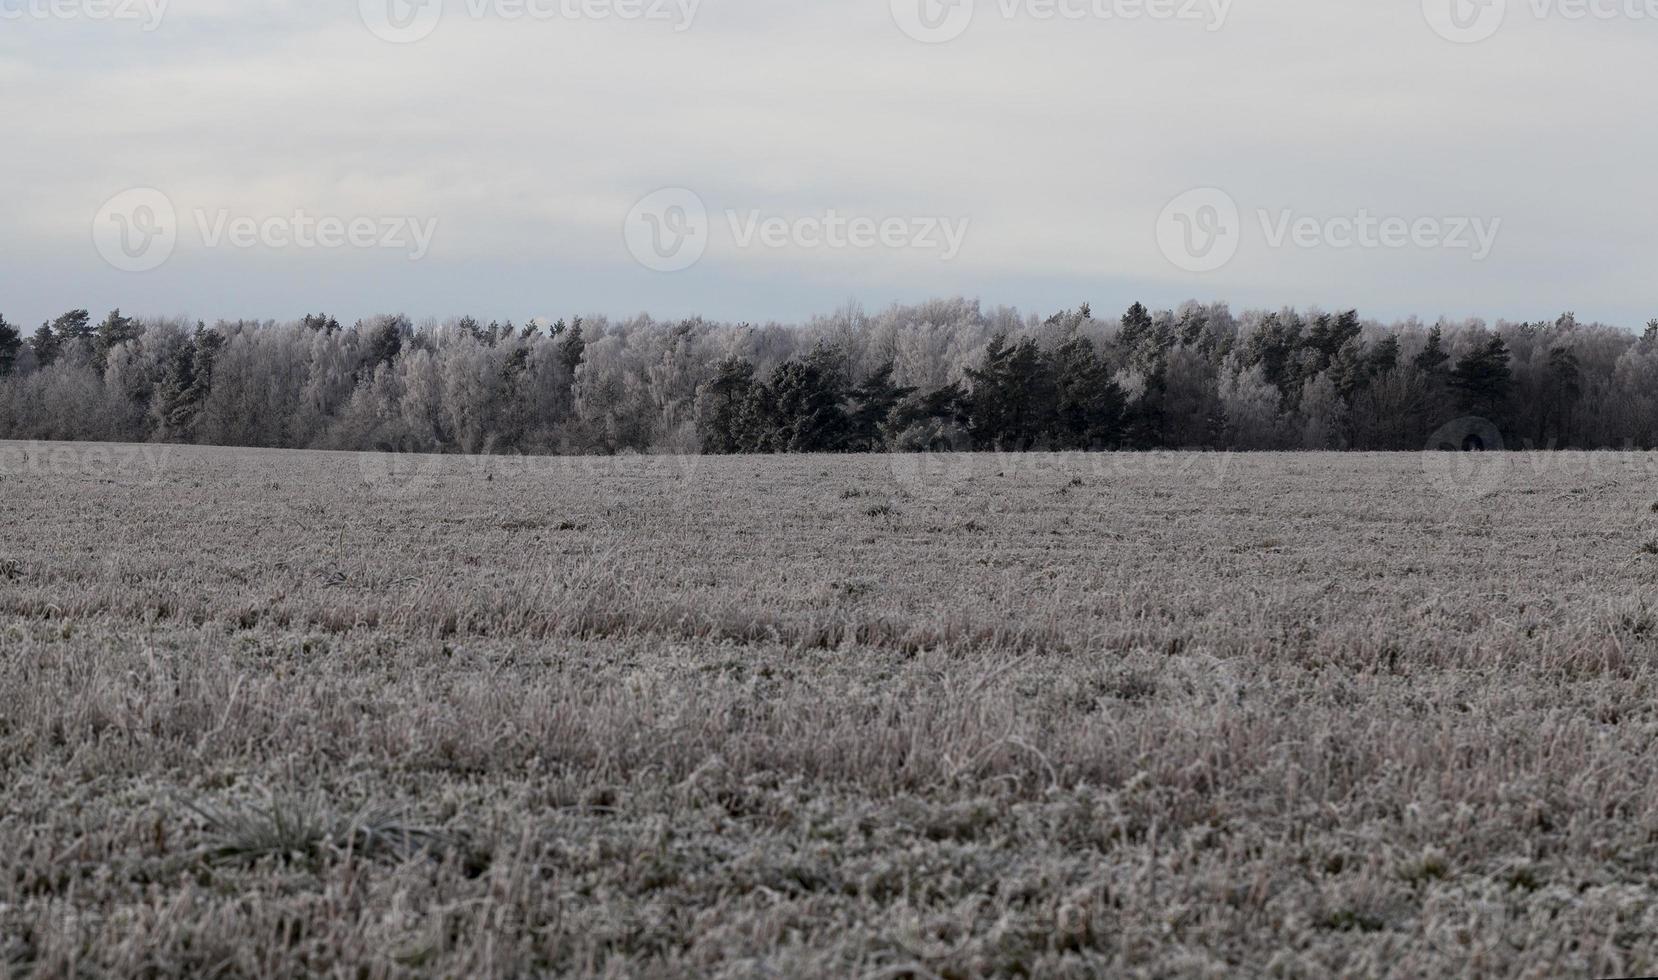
<point x="934" y="377"/>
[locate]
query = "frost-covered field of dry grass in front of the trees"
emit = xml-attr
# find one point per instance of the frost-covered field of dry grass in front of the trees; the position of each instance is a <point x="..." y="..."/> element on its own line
<point x="286" y="714"/>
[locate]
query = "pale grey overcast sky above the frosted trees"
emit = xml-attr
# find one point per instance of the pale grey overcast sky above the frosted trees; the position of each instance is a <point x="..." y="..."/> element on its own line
<point x="768" y="160"/>
